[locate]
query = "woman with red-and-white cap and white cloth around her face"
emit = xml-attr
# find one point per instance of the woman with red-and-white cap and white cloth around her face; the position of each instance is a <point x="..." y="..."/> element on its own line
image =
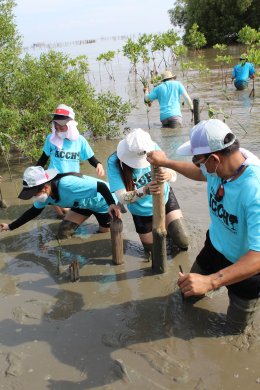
<point x="65" y="147"/>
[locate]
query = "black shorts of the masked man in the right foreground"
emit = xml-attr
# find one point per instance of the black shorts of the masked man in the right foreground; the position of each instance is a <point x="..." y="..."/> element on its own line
<point x="211" y="261"/>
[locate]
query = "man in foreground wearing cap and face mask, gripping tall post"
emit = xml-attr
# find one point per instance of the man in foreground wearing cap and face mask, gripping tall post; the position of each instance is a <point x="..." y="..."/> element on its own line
<point x="231" y="255"/>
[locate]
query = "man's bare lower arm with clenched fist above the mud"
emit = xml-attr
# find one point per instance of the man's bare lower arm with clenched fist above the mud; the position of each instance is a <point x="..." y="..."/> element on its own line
<point x="196" y="284"/>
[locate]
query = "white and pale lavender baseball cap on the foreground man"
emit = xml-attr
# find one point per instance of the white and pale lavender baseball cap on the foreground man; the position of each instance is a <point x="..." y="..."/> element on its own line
<point x="206" y="137"/>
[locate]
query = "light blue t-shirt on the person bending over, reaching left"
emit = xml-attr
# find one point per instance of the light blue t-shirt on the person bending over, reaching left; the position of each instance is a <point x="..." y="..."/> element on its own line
<point x="79" y="192"/>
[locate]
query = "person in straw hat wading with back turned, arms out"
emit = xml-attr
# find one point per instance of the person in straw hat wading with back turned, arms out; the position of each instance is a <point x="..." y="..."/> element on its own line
<point x="169" y="93"/>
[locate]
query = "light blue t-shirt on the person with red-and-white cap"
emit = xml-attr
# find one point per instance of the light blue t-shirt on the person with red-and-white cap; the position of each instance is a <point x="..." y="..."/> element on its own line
<point x="68" y="158"/>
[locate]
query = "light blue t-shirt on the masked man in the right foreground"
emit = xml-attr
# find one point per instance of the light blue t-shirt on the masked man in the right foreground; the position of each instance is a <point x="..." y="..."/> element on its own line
<point x="235" y="221"/>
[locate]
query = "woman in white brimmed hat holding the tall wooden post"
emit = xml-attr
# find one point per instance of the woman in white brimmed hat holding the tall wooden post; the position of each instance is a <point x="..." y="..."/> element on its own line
<point x="129" y="175"/>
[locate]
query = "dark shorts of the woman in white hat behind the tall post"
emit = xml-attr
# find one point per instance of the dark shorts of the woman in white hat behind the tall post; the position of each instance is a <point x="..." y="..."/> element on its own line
<point x="144" y="225"/>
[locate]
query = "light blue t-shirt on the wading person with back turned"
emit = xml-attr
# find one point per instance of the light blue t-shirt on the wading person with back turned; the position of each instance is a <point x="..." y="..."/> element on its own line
<point x="169" y="95"/>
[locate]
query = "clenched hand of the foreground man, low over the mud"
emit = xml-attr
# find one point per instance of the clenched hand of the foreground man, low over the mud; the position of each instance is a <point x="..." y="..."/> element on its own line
<point x="194" y="284"/>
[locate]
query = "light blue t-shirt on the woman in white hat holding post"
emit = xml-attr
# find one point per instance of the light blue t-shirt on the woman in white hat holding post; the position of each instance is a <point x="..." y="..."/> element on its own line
<point x="142" y="206"/>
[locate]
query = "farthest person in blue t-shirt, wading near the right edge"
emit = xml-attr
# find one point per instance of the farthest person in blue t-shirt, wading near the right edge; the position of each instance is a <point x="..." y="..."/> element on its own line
<point x="242" y="72"/>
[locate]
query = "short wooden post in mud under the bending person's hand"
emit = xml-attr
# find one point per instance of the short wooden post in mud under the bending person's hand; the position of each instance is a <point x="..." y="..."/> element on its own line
<point x="116" y="229"/>
